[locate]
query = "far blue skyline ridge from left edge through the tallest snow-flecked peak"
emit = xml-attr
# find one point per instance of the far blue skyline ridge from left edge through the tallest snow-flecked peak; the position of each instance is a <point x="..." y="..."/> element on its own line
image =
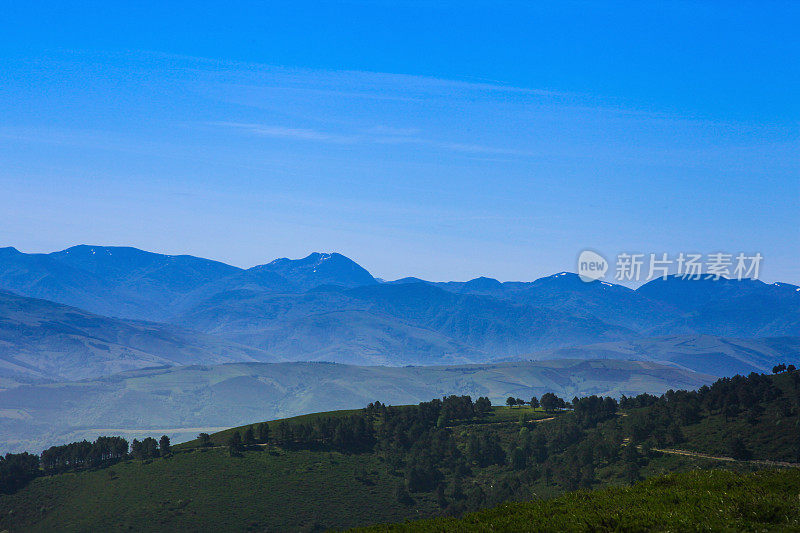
<point x="131" y="283"/>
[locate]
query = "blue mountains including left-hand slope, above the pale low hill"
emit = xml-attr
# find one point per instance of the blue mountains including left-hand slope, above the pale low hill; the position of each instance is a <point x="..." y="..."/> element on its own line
<point x="178" y="309"/>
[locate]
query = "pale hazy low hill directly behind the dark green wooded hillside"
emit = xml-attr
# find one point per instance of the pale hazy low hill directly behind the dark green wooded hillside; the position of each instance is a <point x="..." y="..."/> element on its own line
<point x="184" y="401"/>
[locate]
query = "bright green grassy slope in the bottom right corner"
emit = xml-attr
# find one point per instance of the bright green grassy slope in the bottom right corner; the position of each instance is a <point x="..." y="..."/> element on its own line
<point x="694" y="501"/>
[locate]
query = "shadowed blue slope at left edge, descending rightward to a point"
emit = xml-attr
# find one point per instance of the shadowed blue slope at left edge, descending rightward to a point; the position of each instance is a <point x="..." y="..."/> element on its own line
<point x="42" y="340"/>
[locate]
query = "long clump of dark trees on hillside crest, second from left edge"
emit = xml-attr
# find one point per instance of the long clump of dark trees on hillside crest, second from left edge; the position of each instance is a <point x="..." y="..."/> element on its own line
<point x="83" y="454"/>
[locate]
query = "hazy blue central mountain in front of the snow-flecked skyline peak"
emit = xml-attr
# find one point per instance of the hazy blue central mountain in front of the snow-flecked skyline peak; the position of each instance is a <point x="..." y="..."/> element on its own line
<point x="414" y="323"/>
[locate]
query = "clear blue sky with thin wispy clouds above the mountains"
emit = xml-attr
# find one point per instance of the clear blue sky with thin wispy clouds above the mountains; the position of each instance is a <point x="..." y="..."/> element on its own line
<point x="438" y="139"/>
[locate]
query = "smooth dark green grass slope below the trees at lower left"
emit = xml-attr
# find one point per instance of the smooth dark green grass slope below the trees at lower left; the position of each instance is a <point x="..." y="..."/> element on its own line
<point x="207" y="489"/>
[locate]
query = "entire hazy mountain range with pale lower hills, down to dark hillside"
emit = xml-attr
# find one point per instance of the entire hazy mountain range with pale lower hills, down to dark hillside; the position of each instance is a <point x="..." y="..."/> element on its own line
<point x="98" y="339"/>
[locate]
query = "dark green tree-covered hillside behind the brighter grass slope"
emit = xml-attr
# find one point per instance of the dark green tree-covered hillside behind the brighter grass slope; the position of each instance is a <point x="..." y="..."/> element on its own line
<point x="388" y="464"/>
